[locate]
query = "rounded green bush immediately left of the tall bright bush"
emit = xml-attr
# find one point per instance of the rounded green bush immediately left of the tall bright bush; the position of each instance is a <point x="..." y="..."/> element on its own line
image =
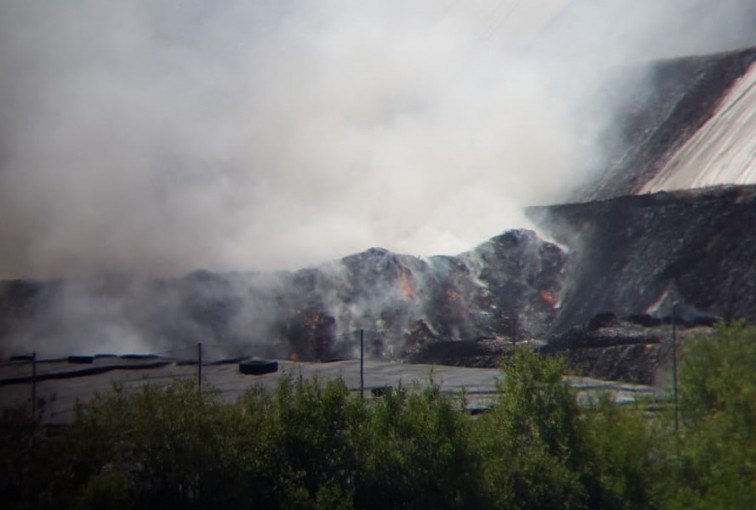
<point x="416" y="452"/>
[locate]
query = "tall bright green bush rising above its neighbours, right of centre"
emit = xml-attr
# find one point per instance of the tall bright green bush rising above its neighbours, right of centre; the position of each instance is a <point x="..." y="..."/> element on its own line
<point x="531" y="440"/>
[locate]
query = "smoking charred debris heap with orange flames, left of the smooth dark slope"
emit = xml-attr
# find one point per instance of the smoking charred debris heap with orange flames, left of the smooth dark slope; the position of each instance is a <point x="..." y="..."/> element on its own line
<point x="402" y="302"/>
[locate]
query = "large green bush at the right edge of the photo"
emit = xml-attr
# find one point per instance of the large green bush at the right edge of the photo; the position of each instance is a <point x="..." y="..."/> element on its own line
<point x="717" y="438"/>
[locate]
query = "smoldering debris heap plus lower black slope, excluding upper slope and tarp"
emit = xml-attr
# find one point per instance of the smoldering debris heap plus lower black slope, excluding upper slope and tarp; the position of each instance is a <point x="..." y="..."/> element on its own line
<point x="632" y="257"/>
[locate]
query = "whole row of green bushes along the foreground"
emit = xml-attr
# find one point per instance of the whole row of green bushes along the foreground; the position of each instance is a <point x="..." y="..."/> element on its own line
<point x="314" y="445"/>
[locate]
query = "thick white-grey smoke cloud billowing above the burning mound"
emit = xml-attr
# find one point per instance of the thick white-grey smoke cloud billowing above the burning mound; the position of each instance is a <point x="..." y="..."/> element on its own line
<point x="159" y="137"/>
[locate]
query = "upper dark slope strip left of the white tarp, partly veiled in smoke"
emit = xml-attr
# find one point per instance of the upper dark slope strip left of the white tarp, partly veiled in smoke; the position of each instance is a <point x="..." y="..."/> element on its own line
<point x="682" y="95"/>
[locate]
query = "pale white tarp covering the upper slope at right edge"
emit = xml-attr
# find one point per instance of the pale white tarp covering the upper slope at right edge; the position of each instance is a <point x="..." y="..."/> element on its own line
<point x="723" y="151"/>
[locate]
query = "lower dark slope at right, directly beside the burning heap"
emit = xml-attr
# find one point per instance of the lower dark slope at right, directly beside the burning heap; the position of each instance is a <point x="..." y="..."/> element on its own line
<point x="640" y="254"/>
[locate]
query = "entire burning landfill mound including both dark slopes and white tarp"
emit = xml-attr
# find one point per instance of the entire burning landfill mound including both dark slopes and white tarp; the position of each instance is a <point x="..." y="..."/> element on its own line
<point x="670" y="221"/>
